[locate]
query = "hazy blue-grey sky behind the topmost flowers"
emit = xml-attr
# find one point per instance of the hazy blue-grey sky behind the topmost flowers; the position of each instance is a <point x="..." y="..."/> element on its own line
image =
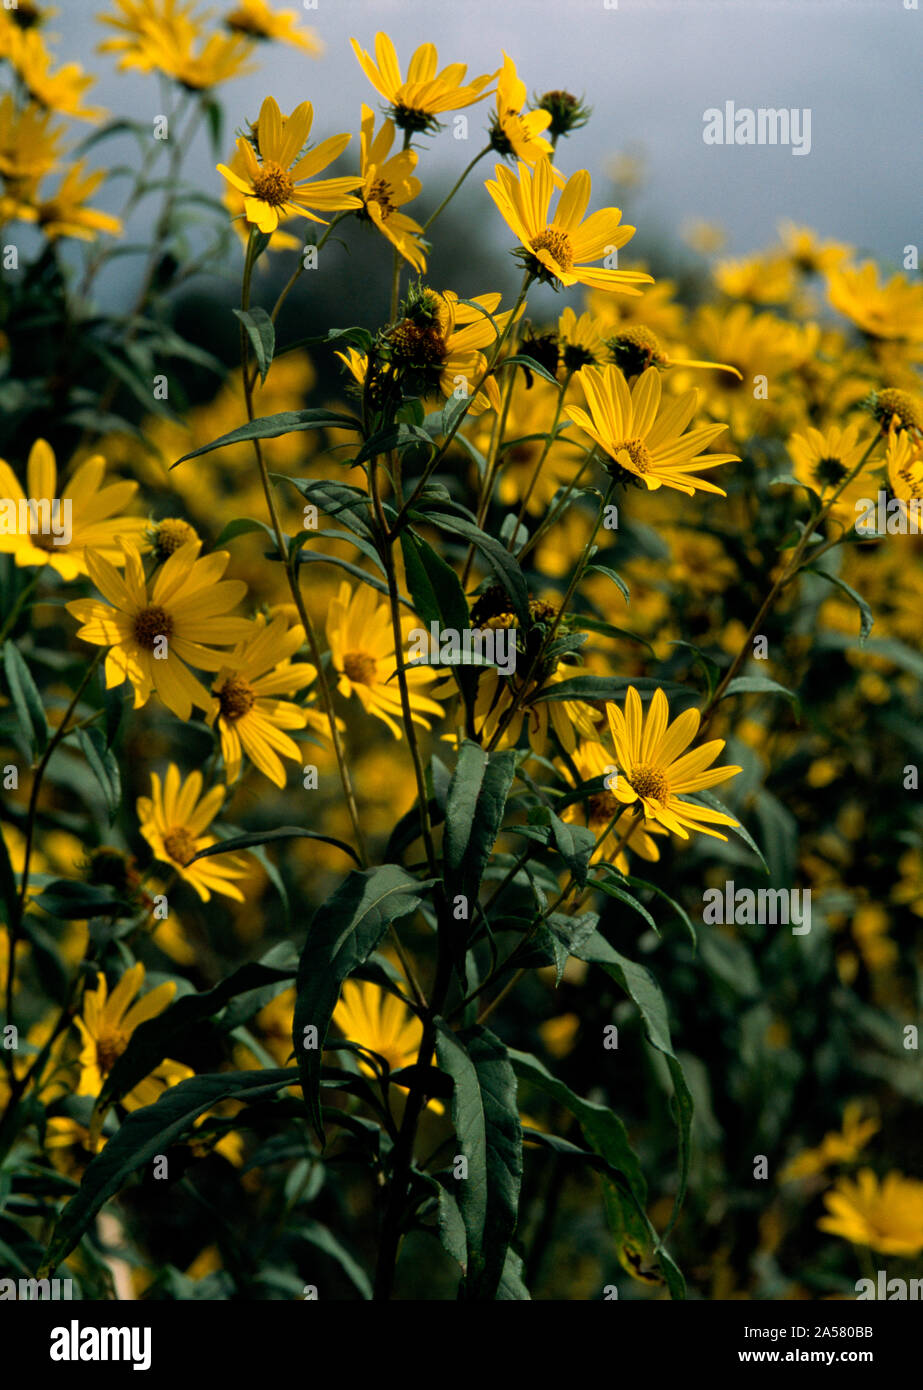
<point x="650" y="69"/>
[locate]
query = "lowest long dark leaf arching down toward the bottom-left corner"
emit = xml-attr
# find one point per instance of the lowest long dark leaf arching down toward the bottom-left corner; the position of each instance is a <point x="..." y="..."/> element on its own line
<point x="145" y="1134"/>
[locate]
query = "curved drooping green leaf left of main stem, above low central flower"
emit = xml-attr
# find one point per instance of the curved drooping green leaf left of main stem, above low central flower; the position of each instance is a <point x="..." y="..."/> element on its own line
<point x="343" y="935"/>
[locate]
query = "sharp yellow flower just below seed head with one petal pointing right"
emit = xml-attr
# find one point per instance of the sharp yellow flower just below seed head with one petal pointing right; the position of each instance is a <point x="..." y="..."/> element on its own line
<point x="644" y="439"/>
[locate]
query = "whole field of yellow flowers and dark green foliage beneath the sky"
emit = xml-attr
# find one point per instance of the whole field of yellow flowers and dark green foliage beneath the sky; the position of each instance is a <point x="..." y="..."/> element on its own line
<point x="461" y="817"/>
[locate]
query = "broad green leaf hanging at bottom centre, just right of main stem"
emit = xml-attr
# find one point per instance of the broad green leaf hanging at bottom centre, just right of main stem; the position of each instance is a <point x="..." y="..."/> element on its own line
<point x="486" y="1115"/>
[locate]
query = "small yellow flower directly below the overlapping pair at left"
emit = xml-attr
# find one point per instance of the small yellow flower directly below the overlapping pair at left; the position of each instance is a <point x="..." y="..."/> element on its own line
<point x="176" y="819"/>
